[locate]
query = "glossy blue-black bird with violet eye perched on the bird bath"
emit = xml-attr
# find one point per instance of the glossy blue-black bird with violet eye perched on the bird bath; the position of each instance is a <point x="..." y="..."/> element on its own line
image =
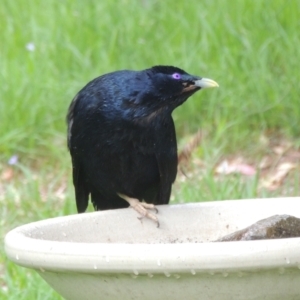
<point x="122" y="139"/>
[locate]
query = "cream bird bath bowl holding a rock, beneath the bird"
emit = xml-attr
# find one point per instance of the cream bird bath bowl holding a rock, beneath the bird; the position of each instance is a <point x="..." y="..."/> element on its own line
<point x="114" y="255"/>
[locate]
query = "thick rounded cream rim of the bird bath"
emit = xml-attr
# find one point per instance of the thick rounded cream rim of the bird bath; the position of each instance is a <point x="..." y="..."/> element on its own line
<point x="103" y="257"/>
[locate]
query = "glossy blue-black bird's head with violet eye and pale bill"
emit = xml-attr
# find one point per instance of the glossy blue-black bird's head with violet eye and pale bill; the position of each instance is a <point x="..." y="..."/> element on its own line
<point x="167" y="88"/>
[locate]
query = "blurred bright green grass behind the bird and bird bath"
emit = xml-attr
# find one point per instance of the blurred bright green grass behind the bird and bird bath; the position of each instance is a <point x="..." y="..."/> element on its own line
<point x="50" y="49"/>
